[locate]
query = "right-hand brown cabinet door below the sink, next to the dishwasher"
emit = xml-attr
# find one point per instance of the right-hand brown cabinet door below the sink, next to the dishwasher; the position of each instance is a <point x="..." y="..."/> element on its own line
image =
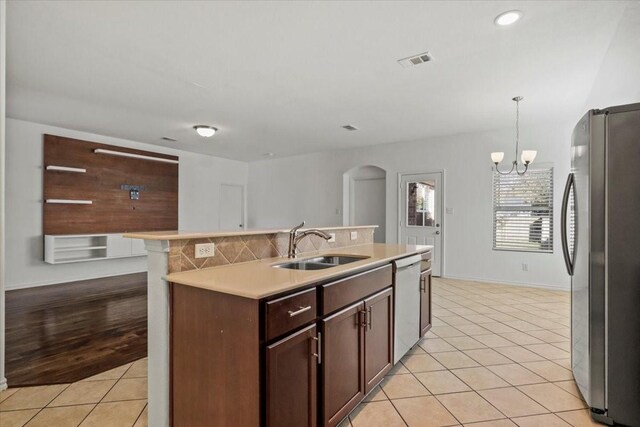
<point x="378" y="338"/>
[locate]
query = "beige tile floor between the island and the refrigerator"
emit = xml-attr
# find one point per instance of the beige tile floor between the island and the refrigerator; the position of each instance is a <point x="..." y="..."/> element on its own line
<point x="497" y="356"/>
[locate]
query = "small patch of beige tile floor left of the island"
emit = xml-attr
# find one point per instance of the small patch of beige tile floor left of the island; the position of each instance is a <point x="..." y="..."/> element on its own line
<point x="115" y="398"/>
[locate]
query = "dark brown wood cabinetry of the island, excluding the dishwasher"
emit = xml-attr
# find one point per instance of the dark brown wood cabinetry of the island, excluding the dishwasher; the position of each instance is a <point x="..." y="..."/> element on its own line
<point x="299" y="359"/>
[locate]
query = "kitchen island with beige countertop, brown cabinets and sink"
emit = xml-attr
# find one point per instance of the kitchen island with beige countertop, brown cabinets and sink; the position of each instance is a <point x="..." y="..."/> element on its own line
<point x="241" y="343"/>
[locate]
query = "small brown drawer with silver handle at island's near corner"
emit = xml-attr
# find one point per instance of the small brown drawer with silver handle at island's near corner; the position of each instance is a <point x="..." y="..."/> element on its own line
<point x="287" y="313"/>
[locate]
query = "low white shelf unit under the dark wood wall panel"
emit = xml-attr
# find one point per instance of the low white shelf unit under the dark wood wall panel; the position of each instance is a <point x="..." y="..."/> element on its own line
<point x="68" y="248"/>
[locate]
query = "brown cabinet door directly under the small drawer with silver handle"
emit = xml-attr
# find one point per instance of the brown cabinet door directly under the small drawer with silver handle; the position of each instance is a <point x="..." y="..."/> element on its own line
<point x="292" y="369"/>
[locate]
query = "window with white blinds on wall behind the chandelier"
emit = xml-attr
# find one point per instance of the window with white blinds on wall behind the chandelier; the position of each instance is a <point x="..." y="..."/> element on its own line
<point x="523" y="211"/>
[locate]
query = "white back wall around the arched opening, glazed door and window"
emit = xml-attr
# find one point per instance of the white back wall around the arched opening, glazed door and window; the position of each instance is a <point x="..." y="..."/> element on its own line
<point x="282" y="192"/>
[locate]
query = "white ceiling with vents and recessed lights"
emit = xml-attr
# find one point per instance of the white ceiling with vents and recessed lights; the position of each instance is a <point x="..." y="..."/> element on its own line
<point x="284" y="77"/>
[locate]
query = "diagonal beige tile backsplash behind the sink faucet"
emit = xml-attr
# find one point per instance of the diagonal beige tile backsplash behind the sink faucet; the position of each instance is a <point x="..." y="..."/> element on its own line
<point x="236" y="249"/>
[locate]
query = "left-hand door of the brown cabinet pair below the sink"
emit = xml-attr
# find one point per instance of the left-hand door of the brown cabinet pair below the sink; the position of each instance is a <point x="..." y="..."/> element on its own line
<point x="342" y="362"/>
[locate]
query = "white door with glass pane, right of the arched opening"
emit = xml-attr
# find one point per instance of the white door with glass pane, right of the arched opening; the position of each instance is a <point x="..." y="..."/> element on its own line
<point x="421" y="213"/>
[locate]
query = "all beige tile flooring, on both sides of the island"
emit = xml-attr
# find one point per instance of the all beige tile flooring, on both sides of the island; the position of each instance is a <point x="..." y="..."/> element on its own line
<point x="496" y="356"/>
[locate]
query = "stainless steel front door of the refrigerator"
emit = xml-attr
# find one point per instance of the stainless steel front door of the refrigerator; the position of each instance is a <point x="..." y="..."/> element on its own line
<point x="587" y="299"/>
